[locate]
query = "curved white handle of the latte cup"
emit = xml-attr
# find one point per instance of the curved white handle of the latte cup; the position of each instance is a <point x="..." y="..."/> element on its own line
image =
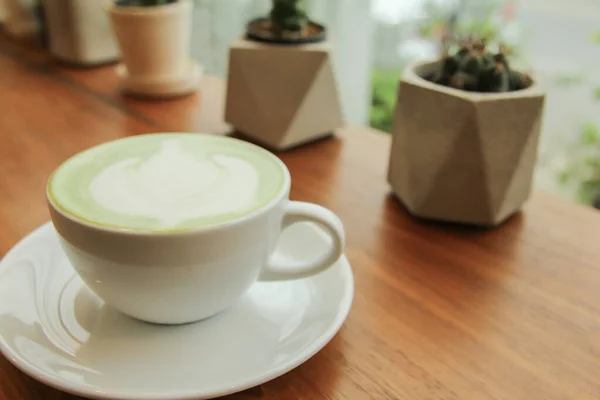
<point x="307" y="212"/>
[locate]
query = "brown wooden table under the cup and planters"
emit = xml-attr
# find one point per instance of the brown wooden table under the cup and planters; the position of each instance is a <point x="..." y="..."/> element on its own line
<point x="440" y="312"/>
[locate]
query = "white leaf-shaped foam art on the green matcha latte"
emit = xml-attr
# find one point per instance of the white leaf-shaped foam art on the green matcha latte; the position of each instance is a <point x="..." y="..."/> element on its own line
<point x="173" y="186"/>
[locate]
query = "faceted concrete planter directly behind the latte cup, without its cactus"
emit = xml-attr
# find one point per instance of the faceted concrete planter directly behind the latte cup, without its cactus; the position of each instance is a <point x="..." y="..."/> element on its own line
<point x="282" y="96"/>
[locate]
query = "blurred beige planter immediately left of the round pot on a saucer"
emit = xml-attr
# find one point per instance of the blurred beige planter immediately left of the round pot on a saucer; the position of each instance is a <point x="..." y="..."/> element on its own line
<point x="79" y="32"/>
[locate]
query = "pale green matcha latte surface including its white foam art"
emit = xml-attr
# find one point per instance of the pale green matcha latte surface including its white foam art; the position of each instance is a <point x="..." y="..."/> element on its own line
<point x="167" y="181"/>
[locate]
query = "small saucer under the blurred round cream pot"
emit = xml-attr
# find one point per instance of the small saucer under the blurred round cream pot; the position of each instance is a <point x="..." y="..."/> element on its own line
<point x="180" y="86"/>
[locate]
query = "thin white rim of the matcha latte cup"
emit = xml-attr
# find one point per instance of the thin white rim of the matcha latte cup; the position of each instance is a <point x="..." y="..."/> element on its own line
<point x="134" y="232"/>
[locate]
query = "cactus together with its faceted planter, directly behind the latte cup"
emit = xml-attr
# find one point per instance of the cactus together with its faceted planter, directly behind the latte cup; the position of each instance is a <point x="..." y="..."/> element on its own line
<point x="281" y="88"/>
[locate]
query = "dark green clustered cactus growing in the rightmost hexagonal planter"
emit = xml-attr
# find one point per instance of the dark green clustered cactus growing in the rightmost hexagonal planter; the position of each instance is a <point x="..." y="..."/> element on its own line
<point x="474" y="68"/>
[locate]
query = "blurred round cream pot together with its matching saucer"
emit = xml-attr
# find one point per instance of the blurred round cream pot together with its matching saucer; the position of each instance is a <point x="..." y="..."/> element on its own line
<point x="154" y="42"/>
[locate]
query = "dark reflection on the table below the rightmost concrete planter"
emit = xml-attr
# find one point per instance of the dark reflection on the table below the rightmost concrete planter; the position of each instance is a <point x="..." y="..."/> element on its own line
<point x="445" y="271"/>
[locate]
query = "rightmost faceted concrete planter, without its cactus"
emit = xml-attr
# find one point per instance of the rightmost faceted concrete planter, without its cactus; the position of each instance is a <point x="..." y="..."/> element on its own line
<point x="461" y="156"/>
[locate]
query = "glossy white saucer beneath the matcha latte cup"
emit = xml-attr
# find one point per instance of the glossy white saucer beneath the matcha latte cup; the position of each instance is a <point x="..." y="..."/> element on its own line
<point x="55" y="330"/>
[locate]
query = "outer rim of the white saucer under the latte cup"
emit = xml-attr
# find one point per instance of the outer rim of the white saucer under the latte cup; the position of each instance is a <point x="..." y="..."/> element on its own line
<point x="85" y="391"/>
